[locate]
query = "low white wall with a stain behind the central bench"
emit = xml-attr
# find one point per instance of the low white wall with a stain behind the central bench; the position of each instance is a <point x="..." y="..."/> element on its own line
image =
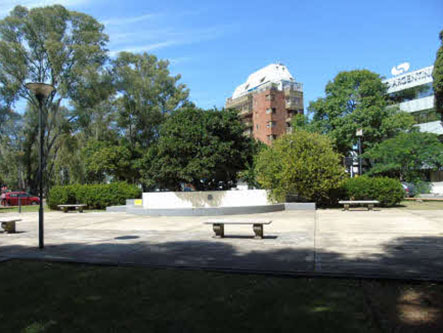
<point x="205" y="199"/>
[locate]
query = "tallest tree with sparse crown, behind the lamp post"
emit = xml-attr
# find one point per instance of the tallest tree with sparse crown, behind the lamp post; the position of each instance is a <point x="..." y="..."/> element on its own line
<point x="51" y="45"/>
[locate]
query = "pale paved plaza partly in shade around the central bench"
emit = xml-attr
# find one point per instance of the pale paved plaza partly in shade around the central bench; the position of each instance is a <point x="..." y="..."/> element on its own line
<point x="384" y="243"/>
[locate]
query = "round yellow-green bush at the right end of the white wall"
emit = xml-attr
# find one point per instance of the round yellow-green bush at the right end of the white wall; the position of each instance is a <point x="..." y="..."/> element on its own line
<point x="300" y="163"/>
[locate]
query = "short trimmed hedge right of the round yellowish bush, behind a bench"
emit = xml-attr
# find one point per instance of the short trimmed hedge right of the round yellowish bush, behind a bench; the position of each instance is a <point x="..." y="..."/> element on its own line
<point x="386" y="190"/>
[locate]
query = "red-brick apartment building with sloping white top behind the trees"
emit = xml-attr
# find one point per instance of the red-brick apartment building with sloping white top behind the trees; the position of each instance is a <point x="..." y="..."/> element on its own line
<point x="267" y="101"/>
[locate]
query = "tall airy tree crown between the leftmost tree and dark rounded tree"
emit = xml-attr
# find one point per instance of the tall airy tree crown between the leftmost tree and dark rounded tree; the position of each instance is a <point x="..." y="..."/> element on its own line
<point x="146" y="93"/>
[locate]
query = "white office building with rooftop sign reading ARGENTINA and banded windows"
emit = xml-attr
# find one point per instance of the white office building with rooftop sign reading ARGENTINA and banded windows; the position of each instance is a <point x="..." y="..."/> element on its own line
<point x="413" y="93"/>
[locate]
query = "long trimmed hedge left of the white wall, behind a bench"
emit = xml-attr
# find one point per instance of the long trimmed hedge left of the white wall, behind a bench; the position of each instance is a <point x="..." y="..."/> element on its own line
<point x="96" y="196"/>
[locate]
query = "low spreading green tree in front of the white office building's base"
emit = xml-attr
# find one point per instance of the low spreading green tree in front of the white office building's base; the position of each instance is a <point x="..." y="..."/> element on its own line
<point x="406" y="155"/>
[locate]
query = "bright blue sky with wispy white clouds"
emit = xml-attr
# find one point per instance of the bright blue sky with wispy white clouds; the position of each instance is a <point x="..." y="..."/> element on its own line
<point x="215" y="45"/>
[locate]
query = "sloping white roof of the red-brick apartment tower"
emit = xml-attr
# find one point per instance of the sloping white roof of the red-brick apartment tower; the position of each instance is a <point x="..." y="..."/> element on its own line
<point x="274" y="73"/>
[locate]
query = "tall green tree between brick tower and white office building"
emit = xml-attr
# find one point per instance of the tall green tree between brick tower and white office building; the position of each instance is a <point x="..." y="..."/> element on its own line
<point x="357" y="99"/>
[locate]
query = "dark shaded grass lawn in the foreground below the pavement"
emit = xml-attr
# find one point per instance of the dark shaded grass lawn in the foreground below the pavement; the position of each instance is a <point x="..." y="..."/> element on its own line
<point x="52" y="297"/>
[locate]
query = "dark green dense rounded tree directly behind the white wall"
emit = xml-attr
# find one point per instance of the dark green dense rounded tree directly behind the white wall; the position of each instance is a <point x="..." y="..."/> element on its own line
<point x="204" y="148"/>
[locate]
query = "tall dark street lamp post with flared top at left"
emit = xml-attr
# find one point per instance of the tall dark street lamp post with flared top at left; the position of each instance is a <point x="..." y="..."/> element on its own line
<point x="41" y="92"/>
